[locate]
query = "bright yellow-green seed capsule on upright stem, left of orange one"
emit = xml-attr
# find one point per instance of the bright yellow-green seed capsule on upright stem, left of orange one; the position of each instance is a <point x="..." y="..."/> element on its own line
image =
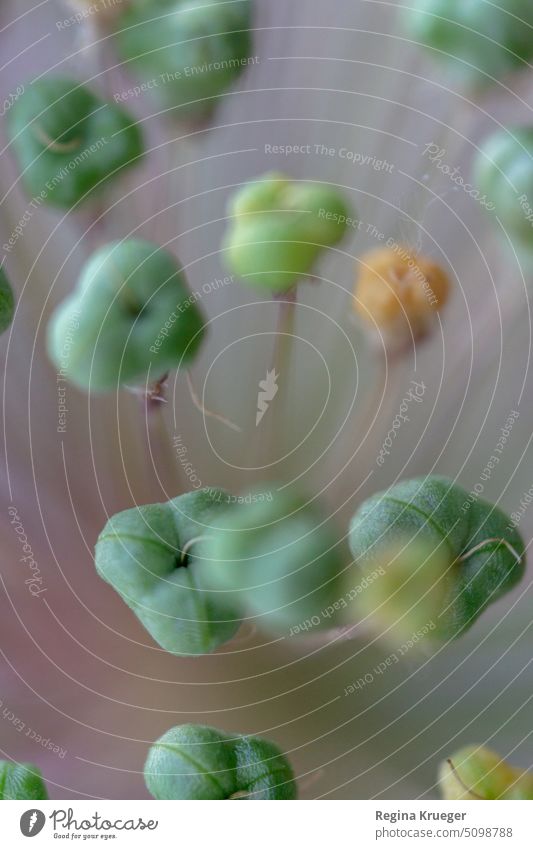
<point x="278" y="229"/>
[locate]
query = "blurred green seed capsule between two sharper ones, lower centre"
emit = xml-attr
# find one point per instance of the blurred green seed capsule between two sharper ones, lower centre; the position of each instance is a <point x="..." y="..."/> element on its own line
<point x="278" y="561"/>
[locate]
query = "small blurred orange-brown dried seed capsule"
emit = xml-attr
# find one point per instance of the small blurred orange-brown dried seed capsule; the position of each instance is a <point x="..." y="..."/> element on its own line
<point x="399" y="292"/>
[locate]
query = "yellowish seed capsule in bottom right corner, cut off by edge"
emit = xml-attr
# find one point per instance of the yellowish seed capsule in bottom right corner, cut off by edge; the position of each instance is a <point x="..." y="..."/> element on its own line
<point x="476" y="773"/>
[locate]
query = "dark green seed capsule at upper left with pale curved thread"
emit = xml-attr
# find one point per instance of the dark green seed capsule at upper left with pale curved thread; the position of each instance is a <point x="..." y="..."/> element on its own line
<point x="69" y="142"/>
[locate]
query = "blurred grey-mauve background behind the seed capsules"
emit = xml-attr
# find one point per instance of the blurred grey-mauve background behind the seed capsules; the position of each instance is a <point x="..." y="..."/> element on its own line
<point x="77" y="669"/>
